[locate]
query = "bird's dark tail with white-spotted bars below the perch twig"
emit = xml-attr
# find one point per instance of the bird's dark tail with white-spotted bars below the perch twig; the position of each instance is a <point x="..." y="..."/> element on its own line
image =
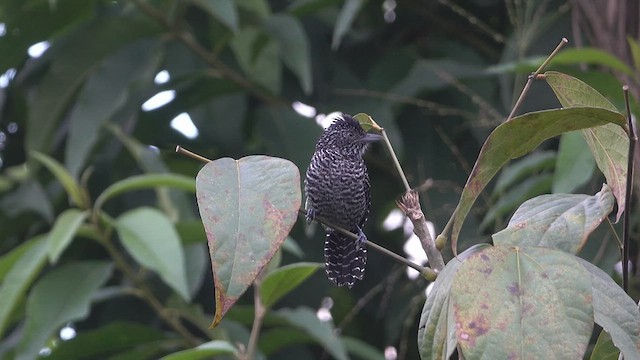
<point x="344" y="261"/>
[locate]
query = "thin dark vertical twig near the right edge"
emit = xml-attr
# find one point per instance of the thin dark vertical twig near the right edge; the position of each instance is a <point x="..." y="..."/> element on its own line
<point x="625" y="225"/>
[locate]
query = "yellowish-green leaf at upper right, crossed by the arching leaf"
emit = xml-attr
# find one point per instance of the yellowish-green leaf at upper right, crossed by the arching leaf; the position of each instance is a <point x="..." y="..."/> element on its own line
<point x="608" y="143"/>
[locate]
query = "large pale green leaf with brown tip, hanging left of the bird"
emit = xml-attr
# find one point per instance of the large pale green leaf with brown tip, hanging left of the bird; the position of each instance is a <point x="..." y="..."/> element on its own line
<point x="248" y="207"/>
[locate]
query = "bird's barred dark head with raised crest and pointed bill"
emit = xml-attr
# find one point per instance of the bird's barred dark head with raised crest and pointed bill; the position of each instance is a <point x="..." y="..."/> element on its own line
<point x="346" y="136"/>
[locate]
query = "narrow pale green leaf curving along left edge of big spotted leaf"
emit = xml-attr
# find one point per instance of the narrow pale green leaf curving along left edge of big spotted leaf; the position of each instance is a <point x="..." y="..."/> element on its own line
<point x="436" y="330"/>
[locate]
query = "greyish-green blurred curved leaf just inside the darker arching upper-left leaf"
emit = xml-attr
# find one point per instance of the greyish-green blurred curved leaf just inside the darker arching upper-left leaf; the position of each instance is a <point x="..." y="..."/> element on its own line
<point x="103" y="94"/>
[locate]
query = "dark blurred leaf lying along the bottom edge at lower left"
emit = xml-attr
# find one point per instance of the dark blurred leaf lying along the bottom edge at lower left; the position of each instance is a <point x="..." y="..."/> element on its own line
<point x="106" y="340"/>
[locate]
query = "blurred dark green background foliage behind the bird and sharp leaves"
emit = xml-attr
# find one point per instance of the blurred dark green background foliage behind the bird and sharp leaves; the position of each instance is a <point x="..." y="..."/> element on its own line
<point x="100" y="231"/>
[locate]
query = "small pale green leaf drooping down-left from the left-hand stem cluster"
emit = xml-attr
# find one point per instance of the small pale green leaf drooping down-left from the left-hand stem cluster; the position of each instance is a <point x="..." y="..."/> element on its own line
<point x="63" y="232"/>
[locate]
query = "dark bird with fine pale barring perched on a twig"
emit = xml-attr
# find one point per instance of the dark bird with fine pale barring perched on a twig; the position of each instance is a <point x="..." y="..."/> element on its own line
<point x="337" y="188"/>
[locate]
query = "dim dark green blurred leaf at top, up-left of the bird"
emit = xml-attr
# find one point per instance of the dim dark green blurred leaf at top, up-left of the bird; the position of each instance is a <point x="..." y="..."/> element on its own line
<point x="258" y="57"/>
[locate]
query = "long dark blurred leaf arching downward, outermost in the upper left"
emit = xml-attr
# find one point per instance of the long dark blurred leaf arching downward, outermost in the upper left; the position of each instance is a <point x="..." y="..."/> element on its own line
<point x="77" y="56"/>
